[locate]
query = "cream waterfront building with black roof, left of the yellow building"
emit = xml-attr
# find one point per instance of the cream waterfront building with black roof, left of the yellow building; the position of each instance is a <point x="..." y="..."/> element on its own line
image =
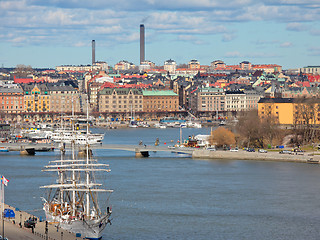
<point x="235" y="101"/>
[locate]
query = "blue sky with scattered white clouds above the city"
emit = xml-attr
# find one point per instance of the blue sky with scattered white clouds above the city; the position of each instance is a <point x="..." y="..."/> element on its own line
<point x="47" y="33"/>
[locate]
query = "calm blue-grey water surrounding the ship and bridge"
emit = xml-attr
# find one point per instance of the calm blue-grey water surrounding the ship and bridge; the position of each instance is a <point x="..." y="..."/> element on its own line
<point x="169" y="197"/>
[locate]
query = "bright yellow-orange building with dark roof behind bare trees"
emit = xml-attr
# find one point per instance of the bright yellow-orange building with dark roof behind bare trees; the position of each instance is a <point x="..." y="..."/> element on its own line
<point x="290" y="111"/>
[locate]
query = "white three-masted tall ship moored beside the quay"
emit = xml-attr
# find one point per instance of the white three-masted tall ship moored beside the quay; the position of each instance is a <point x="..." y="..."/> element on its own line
<point x="73" y="201"/>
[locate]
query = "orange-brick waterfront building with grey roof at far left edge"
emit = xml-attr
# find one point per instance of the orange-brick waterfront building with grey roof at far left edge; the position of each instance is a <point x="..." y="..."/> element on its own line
<point x="11" y="100"/>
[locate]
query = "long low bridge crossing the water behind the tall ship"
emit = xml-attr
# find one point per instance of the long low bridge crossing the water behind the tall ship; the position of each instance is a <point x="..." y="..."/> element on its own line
<point x="139" y="150"/>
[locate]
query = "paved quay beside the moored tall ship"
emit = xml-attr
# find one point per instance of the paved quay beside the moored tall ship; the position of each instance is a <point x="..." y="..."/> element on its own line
<point x="14" y="228"/>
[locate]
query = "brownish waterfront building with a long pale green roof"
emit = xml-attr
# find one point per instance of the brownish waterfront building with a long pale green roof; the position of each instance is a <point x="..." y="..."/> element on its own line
<point x="160" y="101"/>
